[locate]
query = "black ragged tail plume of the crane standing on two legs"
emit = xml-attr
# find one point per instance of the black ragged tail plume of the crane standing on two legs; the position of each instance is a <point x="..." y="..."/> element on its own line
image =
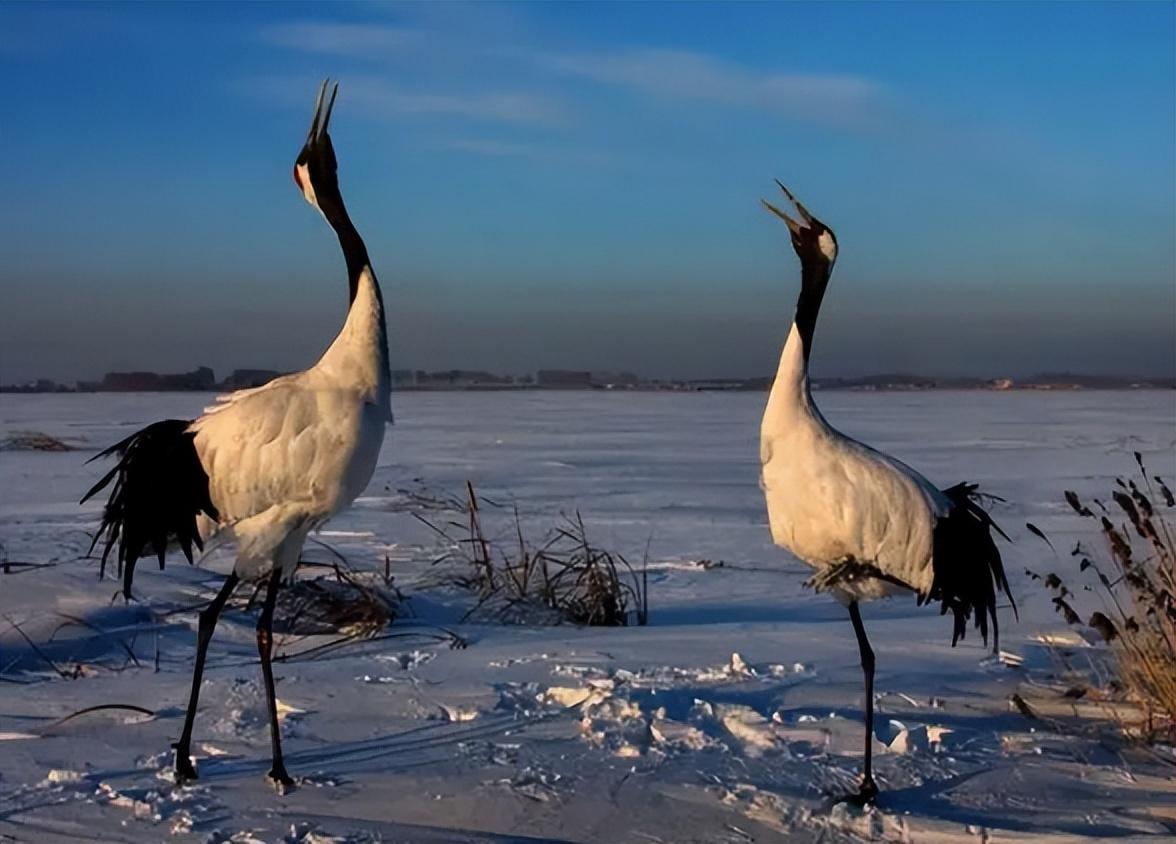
<point x="159" y="490"/>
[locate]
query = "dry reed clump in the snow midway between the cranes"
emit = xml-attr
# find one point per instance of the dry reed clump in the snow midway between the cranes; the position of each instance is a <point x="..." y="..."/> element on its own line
<point x="566" y="579"/>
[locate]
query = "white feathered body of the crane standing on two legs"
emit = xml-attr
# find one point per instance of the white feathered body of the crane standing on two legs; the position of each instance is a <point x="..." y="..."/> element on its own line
<point x="285" y="458"/>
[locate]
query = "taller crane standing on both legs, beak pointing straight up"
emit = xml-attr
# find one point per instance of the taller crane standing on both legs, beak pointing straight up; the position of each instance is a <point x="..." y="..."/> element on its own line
<point x="268" y="466"/>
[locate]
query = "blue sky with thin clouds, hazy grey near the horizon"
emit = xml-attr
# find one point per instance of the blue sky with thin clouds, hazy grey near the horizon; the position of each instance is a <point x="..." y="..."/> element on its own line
<point x="576" y="185"/>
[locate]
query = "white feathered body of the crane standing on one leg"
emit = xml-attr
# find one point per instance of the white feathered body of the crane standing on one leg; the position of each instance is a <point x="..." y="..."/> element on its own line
<point x="831" y="499"/>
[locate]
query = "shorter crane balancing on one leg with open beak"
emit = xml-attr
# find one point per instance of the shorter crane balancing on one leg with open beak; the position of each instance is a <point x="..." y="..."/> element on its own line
<point x="870" y="525"/>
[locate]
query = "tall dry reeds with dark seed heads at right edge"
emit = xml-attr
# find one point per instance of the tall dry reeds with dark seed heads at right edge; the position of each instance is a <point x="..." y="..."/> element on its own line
<point x="1135" y="578"/>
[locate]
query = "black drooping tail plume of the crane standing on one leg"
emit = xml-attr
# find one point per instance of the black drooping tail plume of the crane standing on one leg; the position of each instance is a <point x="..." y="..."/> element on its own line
<point x="967" y="566"/>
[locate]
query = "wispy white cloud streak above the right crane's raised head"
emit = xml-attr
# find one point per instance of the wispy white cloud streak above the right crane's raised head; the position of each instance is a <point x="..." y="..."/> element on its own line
<point x="690" y="76"/>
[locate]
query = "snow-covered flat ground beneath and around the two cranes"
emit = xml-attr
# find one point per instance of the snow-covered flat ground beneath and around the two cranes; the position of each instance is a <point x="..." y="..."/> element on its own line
<point x="656" y="734"/>
